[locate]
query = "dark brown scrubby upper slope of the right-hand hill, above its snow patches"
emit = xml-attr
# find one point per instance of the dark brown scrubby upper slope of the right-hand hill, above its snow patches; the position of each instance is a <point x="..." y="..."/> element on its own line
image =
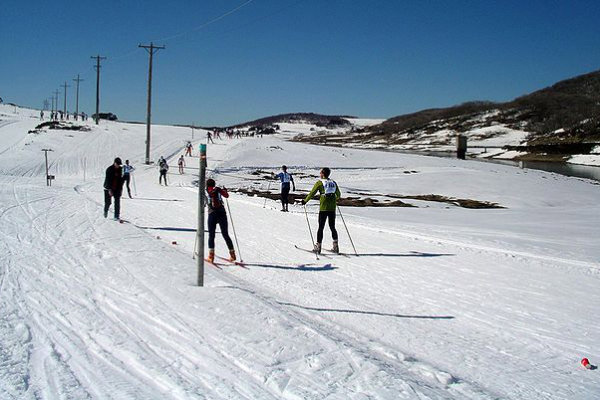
<point x="566" y="111"/>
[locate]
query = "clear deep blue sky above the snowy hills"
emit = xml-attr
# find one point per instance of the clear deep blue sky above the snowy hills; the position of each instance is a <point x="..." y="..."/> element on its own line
<point x="368" y="58"/>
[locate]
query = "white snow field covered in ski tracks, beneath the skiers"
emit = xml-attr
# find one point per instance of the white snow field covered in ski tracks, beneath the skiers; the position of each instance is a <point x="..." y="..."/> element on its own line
<point x="442" y="302"/>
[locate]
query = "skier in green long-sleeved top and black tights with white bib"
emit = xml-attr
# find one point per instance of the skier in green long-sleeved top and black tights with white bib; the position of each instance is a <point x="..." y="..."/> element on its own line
<point x="329" y="195"/>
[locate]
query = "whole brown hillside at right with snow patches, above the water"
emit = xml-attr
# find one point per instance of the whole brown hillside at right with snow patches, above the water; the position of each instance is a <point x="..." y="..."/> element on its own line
<point x="558" y="123"/>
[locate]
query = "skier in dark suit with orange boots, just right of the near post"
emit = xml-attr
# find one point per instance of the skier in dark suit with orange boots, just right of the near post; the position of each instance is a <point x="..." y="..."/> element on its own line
<point x="217" y="215"/>
